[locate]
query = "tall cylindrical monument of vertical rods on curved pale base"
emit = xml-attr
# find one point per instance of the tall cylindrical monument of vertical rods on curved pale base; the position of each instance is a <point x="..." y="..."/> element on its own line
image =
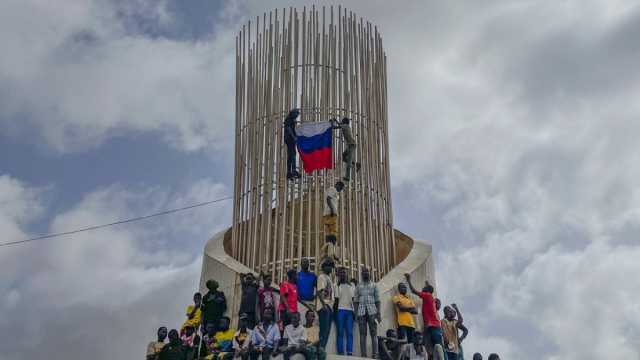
<point x="329" y="63"/>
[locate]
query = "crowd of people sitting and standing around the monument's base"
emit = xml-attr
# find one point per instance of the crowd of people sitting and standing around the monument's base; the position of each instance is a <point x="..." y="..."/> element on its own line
<point x="270" y="323"/>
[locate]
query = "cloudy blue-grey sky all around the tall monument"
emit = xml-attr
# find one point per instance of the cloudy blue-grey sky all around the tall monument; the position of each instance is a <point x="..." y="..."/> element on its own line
<point x="514" y="152"/>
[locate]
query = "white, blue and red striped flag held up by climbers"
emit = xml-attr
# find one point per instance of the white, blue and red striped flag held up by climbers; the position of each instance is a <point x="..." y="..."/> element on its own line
<point x="314" y="145"/>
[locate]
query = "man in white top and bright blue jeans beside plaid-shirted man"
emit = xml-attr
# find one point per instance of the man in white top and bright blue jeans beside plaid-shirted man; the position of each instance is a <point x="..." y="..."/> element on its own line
<point x="344" y="303"/>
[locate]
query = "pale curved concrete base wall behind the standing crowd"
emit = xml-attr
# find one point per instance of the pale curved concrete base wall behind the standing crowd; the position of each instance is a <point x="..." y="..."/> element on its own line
<point x="216" y="264"/>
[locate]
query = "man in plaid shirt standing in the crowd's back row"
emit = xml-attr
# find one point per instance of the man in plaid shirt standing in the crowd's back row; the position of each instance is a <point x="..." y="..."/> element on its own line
<point x="367" y="307"/>
